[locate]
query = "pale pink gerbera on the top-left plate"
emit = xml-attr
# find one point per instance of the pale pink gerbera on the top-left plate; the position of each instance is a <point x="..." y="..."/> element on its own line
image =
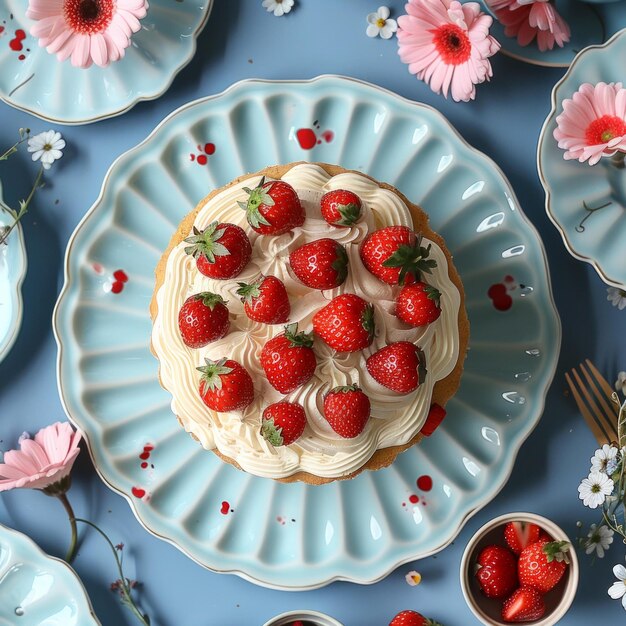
<point x="86" y="31"/>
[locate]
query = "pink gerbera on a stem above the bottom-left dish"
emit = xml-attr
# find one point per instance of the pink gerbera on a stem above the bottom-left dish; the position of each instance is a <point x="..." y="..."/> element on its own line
<point x="42" y="462"/>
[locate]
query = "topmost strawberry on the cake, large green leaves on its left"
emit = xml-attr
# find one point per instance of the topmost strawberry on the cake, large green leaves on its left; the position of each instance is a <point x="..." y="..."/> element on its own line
<point x="273" y="207"/>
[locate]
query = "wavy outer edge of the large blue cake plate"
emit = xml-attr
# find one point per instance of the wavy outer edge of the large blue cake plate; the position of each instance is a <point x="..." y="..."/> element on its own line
<point x="515" y="444"/>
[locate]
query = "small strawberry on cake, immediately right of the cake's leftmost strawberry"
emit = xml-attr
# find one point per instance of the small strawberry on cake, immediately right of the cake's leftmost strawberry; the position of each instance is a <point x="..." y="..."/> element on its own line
<point x="265" y="300"/>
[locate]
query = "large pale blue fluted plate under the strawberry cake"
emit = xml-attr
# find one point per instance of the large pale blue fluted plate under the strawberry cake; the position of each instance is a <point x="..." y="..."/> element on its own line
<point x="297" y="536"/>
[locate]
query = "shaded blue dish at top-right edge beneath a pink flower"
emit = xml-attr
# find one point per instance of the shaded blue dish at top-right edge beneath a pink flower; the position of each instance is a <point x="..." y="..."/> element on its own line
<point x="589" y="23"/>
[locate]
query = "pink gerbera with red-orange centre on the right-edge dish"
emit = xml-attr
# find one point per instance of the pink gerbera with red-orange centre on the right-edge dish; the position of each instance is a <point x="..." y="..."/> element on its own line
<point x="593" y="122"/>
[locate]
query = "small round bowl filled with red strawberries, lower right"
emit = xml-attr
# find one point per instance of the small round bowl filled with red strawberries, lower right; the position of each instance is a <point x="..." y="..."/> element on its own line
<point x="519" y="567"/>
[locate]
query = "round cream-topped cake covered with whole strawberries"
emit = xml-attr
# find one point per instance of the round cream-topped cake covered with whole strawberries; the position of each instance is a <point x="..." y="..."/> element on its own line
<point x="308" y="323"/>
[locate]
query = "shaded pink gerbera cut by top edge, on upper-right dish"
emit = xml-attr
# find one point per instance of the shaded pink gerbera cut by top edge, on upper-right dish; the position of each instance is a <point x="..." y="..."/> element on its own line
<point x="532" y="20"/>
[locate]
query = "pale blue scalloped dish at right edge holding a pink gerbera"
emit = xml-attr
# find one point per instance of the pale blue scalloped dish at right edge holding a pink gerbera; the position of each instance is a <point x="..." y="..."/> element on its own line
<point x="575" y="191"/>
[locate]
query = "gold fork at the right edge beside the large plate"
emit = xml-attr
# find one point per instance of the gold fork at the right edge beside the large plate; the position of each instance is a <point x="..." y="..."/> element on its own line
<point x="594" y="398"/>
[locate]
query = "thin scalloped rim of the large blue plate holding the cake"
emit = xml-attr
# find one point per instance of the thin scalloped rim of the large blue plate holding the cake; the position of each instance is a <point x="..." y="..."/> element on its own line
<point x="503" y="471"/>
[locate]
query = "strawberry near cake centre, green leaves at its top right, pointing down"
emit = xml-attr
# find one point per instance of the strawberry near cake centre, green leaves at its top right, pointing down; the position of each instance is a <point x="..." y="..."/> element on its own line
<point x="288" y="359"/>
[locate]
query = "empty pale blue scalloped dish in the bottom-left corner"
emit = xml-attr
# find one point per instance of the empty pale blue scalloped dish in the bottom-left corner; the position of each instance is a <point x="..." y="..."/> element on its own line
<point x="37" y="589"/>
